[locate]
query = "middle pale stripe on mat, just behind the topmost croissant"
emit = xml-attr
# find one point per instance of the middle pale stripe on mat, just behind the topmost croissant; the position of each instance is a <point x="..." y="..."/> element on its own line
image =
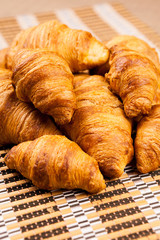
<point x="70" y="18"/>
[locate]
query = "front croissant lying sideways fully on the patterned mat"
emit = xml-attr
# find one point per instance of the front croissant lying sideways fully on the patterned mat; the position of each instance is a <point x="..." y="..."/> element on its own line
<point x="53" y="162"/>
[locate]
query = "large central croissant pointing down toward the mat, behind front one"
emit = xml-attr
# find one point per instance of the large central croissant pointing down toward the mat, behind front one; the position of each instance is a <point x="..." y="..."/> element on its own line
<point x="99" y="125"/>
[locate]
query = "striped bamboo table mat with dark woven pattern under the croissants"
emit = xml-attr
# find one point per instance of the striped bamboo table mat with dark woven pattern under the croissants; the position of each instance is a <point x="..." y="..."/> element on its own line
<point x="129" y="208"/>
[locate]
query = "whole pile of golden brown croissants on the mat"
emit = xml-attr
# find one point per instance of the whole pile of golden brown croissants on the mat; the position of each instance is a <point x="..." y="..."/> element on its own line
<point x="70" y="103"/>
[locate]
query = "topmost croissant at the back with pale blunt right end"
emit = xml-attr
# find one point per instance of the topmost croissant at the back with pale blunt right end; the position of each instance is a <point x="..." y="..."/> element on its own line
<point x="79" y="48"/>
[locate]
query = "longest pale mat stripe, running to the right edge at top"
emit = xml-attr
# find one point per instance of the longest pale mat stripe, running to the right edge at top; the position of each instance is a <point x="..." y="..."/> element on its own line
<point x="109" y="15"/>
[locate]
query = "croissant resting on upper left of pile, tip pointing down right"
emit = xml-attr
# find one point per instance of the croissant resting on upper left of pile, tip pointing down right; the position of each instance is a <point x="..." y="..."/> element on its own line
<point x="44" y="78"/>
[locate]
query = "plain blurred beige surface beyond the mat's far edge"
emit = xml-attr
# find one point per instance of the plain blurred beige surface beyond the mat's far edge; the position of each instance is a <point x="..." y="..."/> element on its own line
<point x="146" y="10"/>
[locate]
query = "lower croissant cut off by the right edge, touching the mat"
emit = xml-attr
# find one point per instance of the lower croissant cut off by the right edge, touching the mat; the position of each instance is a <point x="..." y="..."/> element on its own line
<point x="147" y="141"/>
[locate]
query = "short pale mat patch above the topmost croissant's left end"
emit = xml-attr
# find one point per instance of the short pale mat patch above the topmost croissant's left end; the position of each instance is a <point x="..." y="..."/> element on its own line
<point x="26" y="21"/>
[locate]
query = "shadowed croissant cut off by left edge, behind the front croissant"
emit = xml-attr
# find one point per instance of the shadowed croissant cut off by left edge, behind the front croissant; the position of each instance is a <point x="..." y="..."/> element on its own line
<point x="19" y="121"/>
